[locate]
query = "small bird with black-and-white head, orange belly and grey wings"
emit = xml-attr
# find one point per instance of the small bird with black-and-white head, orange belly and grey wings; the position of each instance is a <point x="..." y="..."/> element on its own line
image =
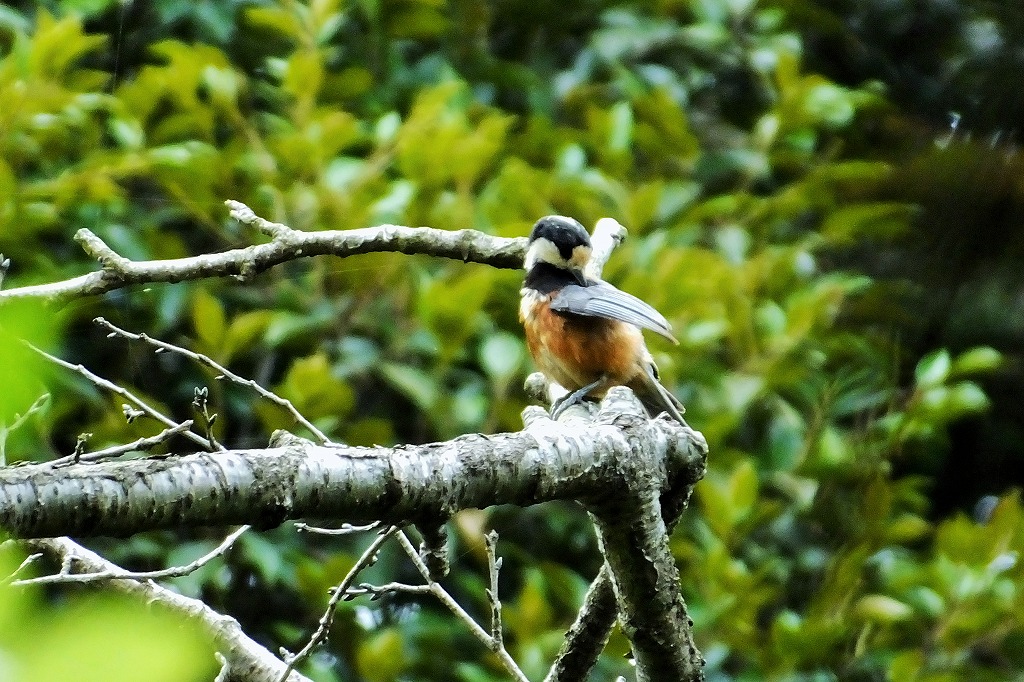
<point x="585" y="334"/>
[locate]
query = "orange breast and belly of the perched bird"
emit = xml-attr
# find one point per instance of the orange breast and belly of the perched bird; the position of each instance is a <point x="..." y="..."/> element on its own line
<point x="576" y="351"/>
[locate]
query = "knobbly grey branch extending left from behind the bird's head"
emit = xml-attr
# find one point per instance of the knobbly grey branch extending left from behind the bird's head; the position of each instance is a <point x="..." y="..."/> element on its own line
<point x="286" y="245"/>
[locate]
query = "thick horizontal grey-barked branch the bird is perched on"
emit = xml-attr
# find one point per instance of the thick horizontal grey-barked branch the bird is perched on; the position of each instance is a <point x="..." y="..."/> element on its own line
<point x="547" y="461"/>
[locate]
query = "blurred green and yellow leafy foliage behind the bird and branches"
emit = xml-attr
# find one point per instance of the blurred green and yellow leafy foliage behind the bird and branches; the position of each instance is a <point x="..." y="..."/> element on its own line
<point x="841" y="264"/>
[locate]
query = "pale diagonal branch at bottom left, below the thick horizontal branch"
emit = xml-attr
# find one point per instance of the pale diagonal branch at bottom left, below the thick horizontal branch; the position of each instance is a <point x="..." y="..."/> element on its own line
<point x="244" y="660"/>
